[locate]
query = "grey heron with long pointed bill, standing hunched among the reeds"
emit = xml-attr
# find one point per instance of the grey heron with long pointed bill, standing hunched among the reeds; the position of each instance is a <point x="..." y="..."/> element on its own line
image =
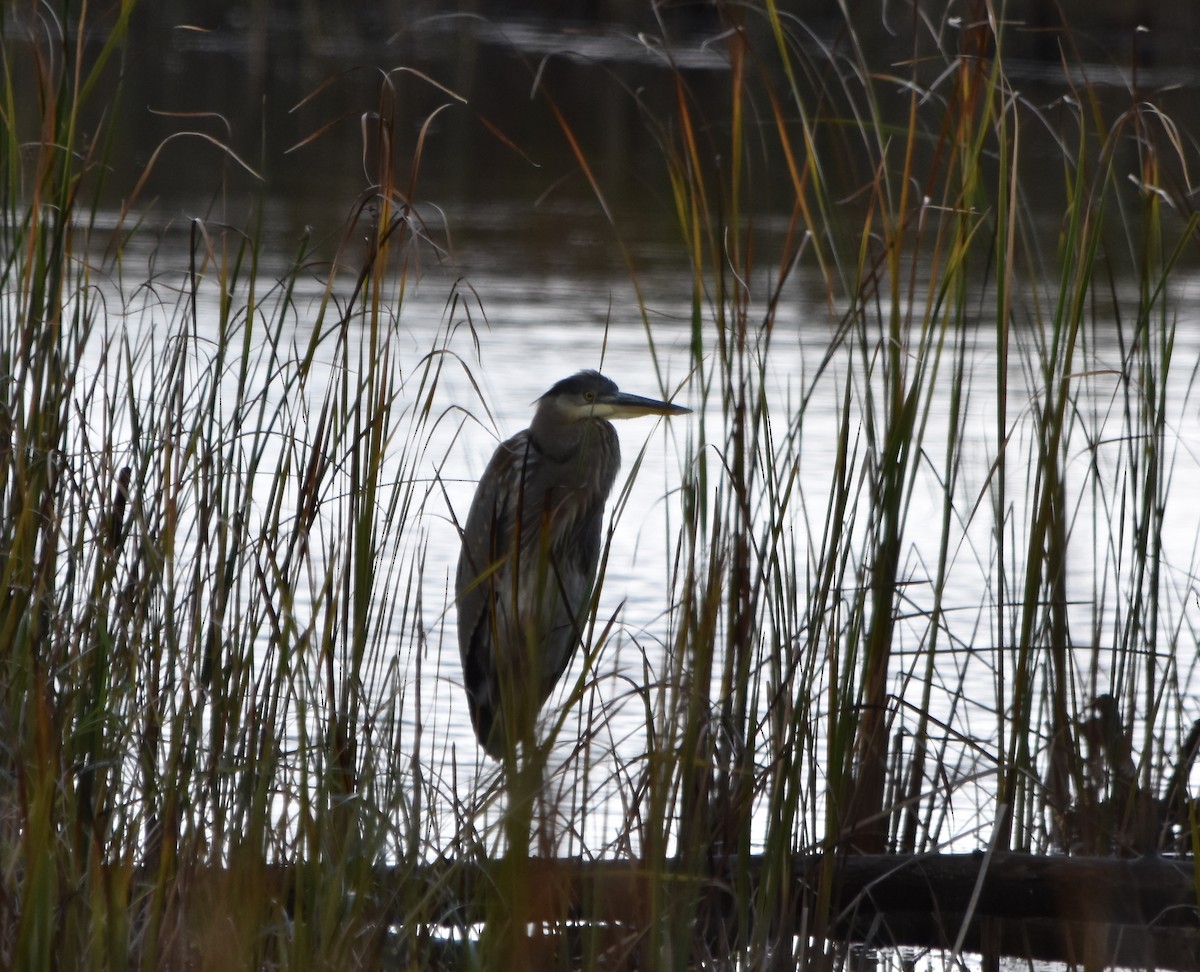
<point x="530" y="553"/>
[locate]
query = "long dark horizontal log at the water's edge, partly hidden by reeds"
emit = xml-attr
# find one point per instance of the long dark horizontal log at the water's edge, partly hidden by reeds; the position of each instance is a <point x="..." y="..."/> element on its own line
<point x="1137" y="913"/>
